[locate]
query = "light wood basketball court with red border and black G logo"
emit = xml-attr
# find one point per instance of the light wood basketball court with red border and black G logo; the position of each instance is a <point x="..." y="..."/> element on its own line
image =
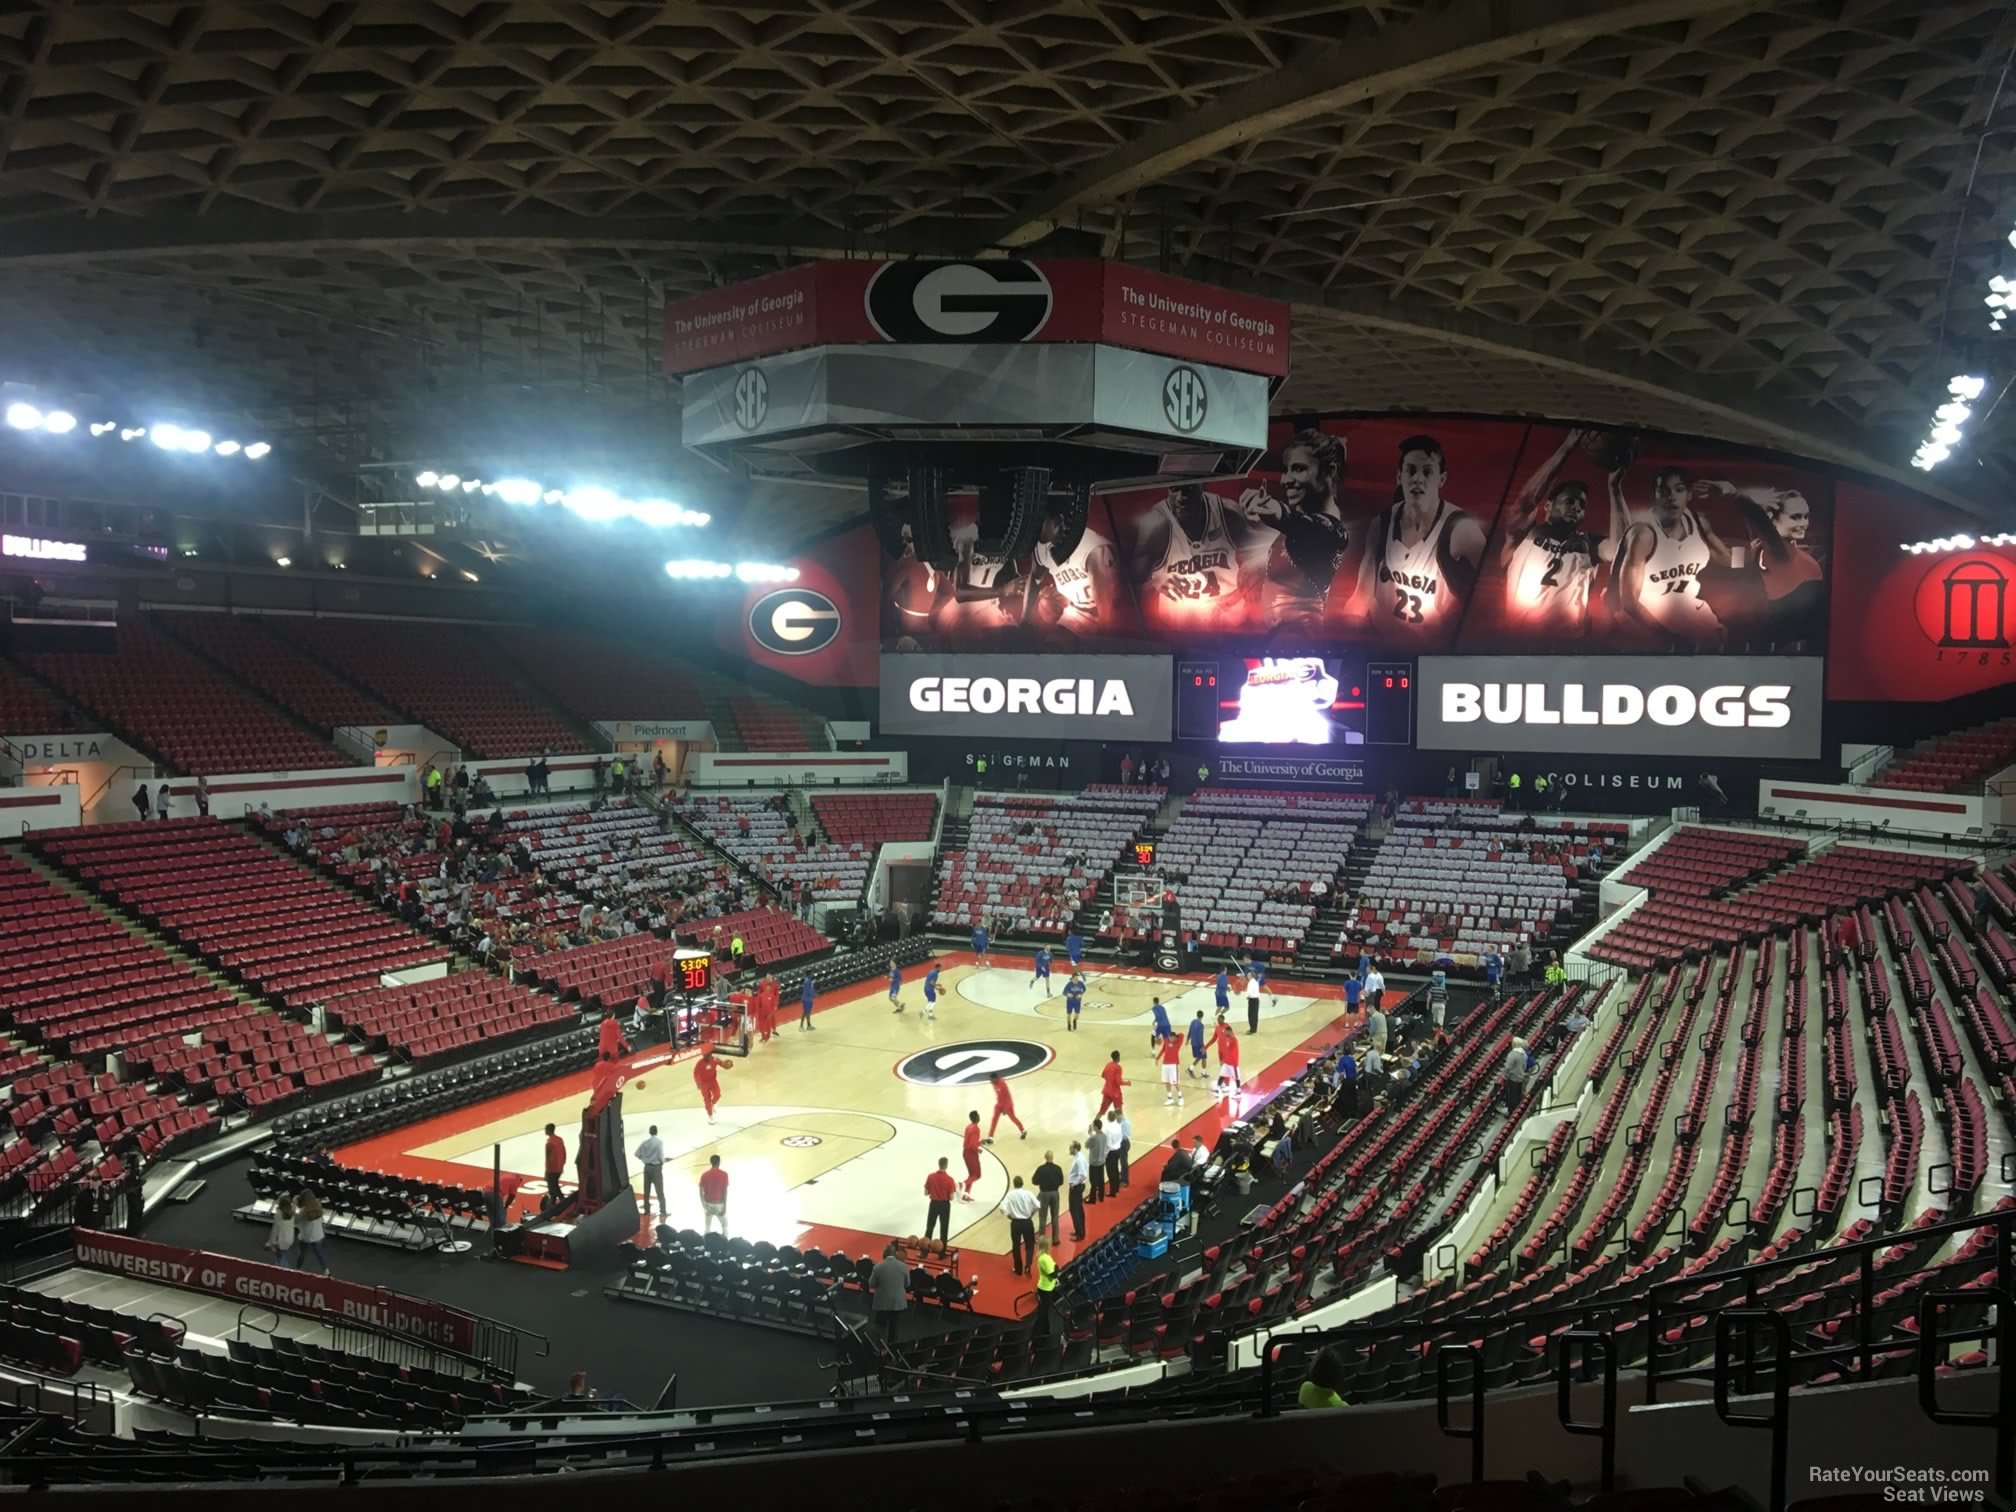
<point x="830" y="1134"/>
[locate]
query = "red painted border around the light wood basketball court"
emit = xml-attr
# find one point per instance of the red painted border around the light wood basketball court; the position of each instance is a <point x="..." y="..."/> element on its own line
<point x="1001" y="1289"/>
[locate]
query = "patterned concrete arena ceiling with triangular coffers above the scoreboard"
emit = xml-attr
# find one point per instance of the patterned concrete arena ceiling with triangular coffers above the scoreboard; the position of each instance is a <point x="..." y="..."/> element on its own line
<point x="390" y="231"/>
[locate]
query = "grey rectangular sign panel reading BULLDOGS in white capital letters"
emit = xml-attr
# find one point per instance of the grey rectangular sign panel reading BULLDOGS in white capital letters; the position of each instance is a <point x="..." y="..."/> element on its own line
<point x="1761" y="709"/>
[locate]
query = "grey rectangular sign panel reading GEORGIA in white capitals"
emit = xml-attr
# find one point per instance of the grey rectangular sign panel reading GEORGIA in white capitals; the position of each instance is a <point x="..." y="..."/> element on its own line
<point x="1027" y="697"/>
